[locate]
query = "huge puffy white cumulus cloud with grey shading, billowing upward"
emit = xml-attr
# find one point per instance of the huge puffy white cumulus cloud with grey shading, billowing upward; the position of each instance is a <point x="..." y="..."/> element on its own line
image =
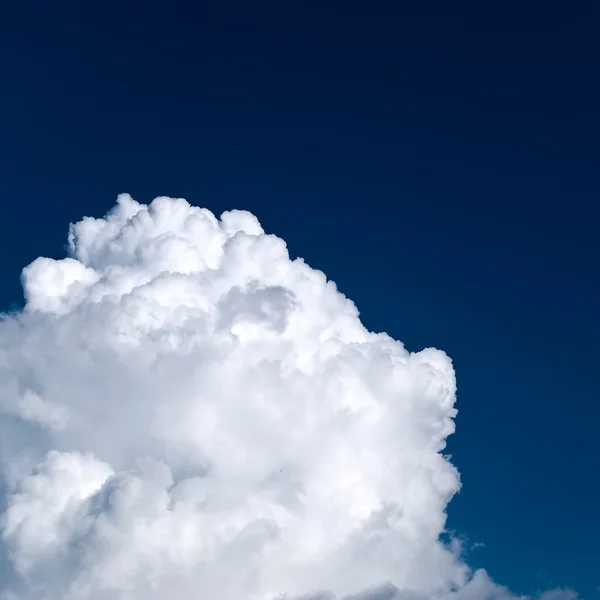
<point x="187" y="413"/>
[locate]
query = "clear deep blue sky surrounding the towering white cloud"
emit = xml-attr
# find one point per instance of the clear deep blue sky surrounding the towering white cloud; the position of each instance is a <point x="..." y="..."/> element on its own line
<point x="440" y="162"/>
